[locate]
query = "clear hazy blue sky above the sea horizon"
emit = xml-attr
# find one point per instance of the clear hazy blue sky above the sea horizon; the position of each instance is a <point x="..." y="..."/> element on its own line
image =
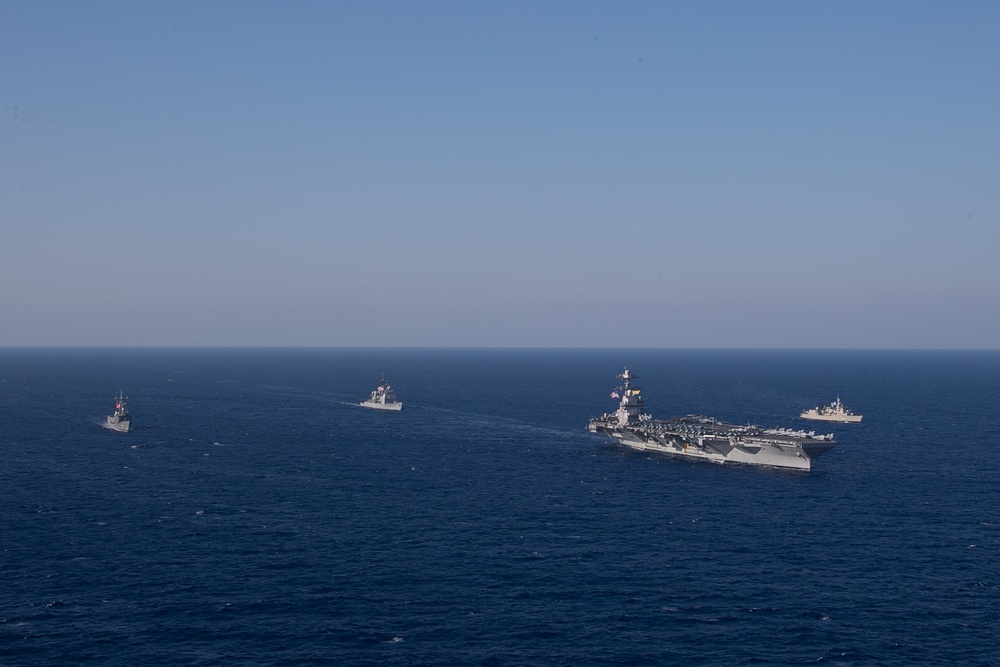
<point x="526" y="174"/>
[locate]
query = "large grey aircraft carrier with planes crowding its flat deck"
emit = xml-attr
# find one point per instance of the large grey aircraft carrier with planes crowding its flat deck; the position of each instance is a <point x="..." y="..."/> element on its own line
<point x="699" y="437"/>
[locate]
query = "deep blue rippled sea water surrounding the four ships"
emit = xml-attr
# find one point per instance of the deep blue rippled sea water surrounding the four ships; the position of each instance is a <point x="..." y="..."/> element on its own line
<point x="257" y="516"/>
